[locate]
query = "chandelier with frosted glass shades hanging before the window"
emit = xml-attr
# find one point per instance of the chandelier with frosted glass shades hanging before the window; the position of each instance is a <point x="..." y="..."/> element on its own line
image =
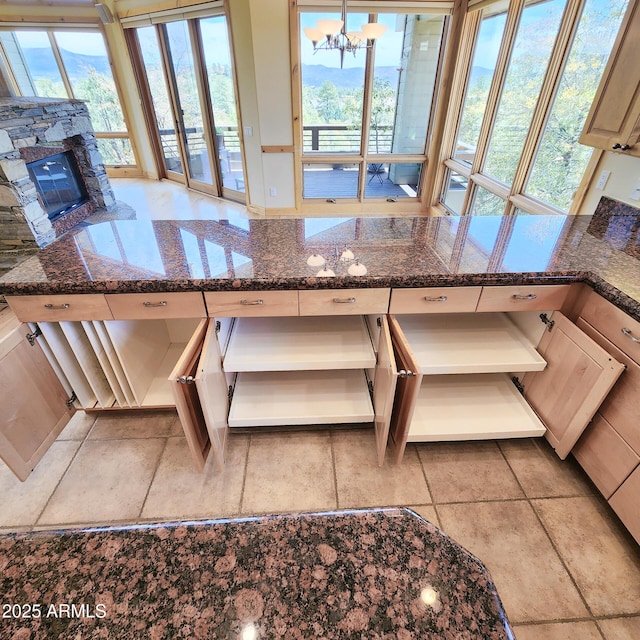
<point x="332" y="34"/>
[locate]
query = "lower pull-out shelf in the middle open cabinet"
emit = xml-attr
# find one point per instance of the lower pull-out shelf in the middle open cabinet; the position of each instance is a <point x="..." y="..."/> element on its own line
<point x="300" y="398"/>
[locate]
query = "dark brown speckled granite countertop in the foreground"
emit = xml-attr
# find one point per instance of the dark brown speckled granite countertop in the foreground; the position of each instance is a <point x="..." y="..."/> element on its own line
<point x="383" y="573"/>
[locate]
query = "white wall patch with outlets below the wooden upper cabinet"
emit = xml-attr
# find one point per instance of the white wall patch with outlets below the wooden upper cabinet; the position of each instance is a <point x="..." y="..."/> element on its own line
<point x="625" y="176"/>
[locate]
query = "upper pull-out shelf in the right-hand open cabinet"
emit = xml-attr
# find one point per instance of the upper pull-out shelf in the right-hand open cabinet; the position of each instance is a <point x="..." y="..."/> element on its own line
<point x="469" y="343"/>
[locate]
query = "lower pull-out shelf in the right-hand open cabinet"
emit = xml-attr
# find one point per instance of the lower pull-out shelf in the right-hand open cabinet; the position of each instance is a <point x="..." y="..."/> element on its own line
<point x="471" y="407"/>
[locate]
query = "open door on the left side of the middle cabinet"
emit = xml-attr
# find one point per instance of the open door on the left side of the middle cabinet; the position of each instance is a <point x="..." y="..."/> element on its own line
<point x="211" y="383"/>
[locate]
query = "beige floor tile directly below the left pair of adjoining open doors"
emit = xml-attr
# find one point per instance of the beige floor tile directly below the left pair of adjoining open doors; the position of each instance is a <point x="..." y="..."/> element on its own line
<point x="179" y="490"/>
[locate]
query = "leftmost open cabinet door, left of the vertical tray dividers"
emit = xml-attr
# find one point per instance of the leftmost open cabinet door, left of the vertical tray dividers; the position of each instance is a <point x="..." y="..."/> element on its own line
<point x="34" y="402"/>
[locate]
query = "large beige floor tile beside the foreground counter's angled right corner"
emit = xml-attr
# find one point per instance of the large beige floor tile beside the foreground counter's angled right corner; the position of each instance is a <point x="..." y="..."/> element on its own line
<point x="508" y="538"/>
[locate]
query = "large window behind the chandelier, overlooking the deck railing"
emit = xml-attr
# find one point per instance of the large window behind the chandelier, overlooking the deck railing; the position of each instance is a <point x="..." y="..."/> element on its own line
<point x="366" y="116"/>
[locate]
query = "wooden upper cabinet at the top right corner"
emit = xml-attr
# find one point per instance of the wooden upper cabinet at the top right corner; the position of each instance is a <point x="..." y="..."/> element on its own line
<point x="613" y="122"/>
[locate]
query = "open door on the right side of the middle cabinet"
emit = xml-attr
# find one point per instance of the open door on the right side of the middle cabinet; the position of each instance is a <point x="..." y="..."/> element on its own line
<point x="384" y="388"/>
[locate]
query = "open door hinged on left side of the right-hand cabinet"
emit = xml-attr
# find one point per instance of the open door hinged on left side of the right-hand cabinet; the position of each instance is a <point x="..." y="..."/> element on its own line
<point x="407" y="390"/>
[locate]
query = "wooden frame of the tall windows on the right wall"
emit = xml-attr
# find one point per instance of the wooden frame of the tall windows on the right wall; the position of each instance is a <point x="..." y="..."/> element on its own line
<point x="514" y="194"/>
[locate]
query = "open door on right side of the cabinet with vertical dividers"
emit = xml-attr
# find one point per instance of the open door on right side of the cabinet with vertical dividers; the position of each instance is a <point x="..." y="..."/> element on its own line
<point x="185" y="393"/>
